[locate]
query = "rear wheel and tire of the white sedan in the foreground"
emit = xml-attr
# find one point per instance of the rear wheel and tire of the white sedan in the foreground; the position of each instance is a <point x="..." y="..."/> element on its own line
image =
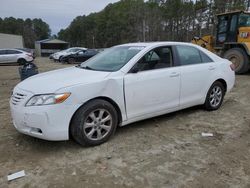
<point x="215" y="96"/>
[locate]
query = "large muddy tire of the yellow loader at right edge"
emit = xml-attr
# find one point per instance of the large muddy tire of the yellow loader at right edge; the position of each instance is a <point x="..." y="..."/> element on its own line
<point x="239" y="58"/>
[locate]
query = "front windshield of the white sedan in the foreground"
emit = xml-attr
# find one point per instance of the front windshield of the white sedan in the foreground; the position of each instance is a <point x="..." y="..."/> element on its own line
<point x="112" y="59"/>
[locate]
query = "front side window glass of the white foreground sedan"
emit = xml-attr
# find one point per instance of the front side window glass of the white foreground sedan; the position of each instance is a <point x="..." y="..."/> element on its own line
<point x="155" y="59"/>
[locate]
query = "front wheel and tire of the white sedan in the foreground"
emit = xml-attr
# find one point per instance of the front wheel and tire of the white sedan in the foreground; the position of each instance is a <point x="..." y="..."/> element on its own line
<point x="94" y="123"/>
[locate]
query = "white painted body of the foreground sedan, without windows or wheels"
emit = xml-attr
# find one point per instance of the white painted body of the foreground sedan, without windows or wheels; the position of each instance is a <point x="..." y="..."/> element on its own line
<point x="138" y="95"/>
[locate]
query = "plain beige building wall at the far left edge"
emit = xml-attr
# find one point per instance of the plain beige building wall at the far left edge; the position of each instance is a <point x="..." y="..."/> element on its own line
<point x="11" y="41"/>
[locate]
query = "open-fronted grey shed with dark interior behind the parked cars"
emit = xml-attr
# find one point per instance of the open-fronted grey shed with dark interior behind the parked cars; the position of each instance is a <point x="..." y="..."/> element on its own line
<point x="49" y="46"/>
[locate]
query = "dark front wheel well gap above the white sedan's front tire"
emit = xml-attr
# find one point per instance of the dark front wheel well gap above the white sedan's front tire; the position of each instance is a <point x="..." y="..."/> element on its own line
<point x="106" y="99"/>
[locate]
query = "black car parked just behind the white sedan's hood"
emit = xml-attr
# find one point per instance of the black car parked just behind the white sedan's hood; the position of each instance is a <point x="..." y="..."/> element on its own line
<point x="79" y="56"/>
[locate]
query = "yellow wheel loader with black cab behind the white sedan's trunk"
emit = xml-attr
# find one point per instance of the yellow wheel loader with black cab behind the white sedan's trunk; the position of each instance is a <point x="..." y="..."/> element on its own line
<point x="232" y="40"/>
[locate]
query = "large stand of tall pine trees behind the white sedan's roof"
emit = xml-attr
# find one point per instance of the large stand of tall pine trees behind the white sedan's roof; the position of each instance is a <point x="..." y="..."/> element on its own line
<point x="153" y="20"/>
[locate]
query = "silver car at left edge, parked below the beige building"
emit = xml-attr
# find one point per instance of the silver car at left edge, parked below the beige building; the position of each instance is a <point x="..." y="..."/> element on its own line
<point x="15" y="56"/>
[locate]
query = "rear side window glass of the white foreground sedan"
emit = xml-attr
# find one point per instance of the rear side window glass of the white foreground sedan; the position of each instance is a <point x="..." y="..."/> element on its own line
<point x="189" y="55"/>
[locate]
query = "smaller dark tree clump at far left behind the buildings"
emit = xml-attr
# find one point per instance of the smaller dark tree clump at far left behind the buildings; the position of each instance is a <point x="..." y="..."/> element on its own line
<point x="31" y="29"/>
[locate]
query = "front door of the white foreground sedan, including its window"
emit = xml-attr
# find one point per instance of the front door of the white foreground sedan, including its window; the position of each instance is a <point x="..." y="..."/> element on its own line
<point x="153" y="84"/>
